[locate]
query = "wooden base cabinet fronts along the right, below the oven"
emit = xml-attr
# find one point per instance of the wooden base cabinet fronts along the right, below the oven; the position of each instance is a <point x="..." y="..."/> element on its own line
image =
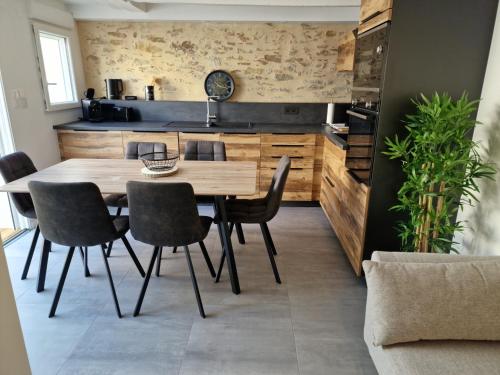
<point x="345" y="203"/>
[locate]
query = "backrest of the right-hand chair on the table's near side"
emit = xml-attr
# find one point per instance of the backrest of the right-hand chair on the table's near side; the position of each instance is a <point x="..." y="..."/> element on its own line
<point x="163" y="214"/>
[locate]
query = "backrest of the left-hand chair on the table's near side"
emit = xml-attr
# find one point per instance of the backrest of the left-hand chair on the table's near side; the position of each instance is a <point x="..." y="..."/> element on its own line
<point x="72" y="214"/>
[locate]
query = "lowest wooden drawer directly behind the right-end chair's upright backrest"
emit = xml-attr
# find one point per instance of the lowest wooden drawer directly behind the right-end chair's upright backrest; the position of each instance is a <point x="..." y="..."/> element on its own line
<point x="298" y="185"/>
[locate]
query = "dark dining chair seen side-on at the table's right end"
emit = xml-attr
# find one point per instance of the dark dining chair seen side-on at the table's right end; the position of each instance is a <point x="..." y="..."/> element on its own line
<point x="260" y="211"/>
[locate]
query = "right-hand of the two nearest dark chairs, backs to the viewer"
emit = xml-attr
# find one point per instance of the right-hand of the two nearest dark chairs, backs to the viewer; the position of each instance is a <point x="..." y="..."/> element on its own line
<point x="166" y="214"/>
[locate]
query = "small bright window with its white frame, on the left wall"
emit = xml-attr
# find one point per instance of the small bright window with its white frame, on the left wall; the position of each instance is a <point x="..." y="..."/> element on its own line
<point x="56" y="68"/>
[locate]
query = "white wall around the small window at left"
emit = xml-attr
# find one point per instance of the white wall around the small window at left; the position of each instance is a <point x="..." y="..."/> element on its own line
<point x="32" y="126"/>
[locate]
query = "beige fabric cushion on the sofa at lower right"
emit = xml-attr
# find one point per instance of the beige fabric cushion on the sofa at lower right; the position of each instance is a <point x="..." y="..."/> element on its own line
<point x="433" y="301"/>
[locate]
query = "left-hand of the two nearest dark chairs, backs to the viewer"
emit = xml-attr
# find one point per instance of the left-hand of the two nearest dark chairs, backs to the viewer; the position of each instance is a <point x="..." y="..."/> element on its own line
<point x="75" y="215"/>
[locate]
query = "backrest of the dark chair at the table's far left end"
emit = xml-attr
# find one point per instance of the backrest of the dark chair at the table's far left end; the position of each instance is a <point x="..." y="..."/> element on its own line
<point x="13" y="167"/>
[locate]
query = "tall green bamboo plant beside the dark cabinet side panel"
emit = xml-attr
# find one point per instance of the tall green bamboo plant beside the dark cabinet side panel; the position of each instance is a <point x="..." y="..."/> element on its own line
<point x="441" y="164"/>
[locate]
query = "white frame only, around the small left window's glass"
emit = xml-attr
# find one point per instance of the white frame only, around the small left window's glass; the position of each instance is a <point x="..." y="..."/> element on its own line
<point x="67" y="34"/>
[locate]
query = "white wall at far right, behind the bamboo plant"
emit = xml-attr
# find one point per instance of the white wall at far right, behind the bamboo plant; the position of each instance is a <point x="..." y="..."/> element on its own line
<point x="483" y="237"/>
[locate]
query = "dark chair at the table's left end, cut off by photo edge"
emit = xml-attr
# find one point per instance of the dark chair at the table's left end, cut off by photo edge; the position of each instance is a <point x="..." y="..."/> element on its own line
<point x="13" y="167"/>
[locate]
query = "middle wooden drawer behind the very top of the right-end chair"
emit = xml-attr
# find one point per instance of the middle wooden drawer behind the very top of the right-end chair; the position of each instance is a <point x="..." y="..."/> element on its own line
<point x="301" y="156"/>
